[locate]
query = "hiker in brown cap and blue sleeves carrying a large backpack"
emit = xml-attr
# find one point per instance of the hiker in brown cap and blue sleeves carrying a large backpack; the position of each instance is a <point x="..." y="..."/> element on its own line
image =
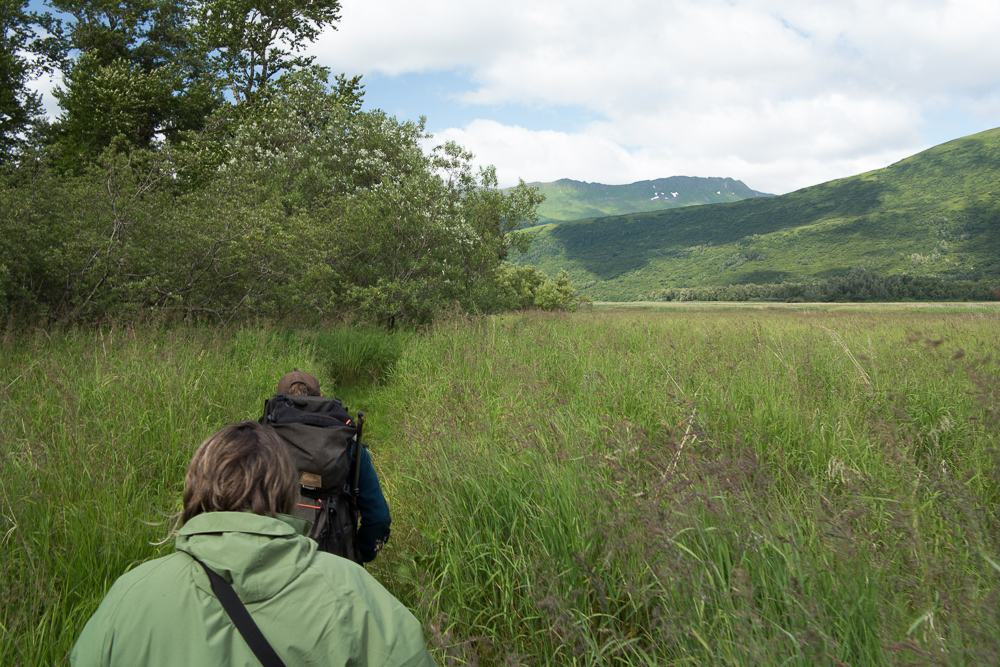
<point x="337" y="481"/>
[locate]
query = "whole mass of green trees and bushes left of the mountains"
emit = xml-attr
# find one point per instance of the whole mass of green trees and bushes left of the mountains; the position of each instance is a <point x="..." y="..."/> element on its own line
<point x="200" y="167"/>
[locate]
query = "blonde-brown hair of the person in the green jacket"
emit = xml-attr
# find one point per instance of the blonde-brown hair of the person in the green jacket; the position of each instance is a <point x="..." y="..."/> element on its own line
<point x="244" y="467"/>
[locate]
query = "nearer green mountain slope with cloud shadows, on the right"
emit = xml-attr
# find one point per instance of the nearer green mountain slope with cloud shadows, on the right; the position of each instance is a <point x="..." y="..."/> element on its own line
<point x="934" y="214"/>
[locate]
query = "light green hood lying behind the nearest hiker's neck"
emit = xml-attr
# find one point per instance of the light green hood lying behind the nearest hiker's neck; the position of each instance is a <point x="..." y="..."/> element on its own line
<point x="258" y="555"/>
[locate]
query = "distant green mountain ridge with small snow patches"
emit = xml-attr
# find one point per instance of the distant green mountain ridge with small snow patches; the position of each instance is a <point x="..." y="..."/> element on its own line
<point x="572" y="200"/>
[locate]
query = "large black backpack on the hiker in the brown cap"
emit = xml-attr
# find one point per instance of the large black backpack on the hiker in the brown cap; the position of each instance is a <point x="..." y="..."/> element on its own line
<point x="320" y="435"/>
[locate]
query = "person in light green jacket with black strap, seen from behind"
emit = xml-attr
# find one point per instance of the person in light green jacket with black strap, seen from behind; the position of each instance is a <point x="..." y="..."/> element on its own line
<point x="313" y="608"/>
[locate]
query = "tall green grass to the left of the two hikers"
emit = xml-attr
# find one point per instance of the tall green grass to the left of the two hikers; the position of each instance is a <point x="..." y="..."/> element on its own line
<point x="96" y="431"/>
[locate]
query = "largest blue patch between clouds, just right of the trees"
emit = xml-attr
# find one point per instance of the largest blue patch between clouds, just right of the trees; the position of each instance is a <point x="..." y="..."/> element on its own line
<point x="437" y="95"/>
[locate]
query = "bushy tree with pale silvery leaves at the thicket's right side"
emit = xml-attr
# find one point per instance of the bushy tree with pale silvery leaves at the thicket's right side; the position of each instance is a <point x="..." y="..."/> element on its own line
<point x="400" y="233"/>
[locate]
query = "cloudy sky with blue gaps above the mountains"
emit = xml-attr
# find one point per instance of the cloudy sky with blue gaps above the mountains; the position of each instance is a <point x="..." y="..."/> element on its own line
<point x="780" y="94"/>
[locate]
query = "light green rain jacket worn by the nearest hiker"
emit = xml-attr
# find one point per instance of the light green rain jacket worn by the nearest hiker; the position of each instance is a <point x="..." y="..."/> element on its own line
<point x="313" y="607"/>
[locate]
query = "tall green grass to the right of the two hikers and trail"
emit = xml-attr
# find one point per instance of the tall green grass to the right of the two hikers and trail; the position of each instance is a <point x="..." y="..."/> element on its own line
<point x="701" y="488"/>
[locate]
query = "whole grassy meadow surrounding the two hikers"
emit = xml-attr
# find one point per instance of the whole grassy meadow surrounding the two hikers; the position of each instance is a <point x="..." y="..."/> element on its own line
<point x="654" y="487"/>
